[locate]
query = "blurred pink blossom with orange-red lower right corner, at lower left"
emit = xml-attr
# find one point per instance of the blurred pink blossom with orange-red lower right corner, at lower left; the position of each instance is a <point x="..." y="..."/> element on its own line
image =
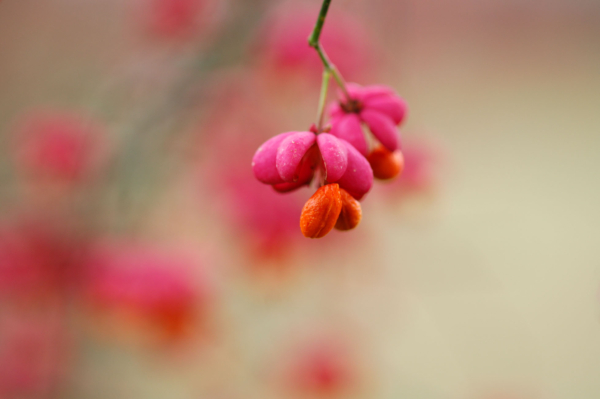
<point x="164" y="289"/>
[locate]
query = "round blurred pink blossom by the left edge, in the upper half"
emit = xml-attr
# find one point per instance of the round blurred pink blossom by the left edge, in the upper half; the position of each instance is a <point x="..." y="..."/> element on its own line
<point x="59" y="144"/>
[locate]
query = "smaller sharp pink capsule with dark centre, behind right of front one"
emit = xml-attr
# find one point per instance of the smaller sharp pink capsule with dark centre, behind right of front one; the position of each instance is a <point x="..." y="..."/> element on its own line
<point x="376" y="106"/>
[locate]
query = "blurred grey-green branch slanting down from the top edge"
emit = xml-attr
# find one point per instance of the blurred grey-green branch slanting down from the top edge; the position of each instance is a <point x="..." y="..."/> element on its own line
<point x="136" y="167"/>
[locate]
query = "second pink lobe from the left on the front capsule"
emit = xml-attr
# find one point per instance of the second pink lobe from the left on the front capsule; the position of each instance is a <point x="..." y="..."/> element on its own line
<point x="290" y="153"/>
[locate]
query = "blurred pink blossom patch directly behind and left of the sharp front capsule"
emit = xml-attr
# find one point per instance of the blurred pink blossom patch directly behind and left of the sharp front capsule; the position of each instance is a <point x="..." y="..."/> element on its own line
<point x="266" y="221"/>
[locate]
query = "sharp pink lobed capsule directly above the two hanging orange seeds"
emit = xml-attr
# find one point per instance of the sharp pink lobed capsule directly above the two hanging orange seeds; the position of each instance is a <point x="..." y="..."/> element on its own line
<point x="291" y="160"/>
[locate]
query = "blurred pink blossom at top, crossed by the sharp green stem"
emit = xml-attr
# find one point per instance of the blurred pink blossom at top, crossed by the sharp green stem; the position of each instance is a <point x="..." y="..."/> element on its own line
<point x="284" y="42"/>
